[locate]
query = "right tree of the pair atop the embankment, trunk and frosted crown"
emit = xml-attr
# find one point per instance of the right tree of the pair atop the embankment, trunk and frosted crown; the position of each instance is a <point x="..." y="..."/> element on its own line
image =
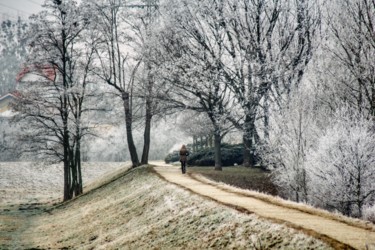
<point x="143" y="20"/>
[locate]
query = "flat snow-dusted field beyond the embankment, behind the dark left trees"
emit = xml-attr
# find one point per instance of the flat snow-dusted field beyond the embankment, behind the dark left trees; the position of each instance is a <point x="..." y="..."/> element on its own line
<point x="26" y="182"/>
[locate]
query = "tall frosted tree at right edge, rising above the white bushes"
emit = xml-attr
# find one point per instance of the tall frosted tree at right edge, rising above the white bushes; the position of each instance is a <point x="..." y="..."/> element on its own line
<point x="351" y="43"/>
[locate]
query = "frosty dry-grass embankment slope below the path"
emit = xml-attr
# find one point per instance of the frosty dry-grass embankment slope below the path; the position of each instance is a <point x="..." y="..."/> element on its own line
<point x="141" y="211"/>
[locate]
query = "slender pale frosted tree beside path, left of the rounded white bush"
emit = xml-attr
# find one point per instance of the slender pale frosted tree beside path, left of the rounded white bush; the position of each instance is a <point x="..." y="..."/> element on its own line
<point x="292" y="133"/>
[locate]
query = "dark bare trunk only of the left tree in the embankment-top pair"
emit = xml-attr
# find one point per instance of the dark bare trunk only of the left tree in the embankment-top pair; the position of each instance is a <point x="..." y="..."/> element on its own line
<point x="129" y="131"/>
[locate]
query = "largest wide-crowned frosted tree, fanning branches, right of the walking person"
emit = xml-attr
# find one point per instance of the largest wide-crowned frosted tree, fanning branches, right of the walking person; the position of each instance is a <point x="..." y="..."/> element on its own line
<point x="257" y="50"/>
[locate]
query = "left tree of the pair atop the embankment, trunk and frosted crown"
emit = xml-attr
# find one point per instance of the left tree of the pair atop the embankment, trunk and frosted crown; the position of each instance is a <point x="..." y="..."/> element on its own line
<point x="117" y="65"/>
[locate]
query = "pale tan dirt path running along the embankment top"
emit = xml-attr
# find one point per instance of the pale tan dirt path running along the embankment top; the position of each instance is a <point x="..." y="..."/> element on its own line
<point x="334" y="232"/>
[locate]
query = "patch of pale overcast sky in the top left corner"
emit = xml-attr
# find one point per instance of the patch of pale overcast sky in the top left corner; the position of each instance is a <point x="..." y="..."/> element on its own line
<point x="24" y="8"/>
